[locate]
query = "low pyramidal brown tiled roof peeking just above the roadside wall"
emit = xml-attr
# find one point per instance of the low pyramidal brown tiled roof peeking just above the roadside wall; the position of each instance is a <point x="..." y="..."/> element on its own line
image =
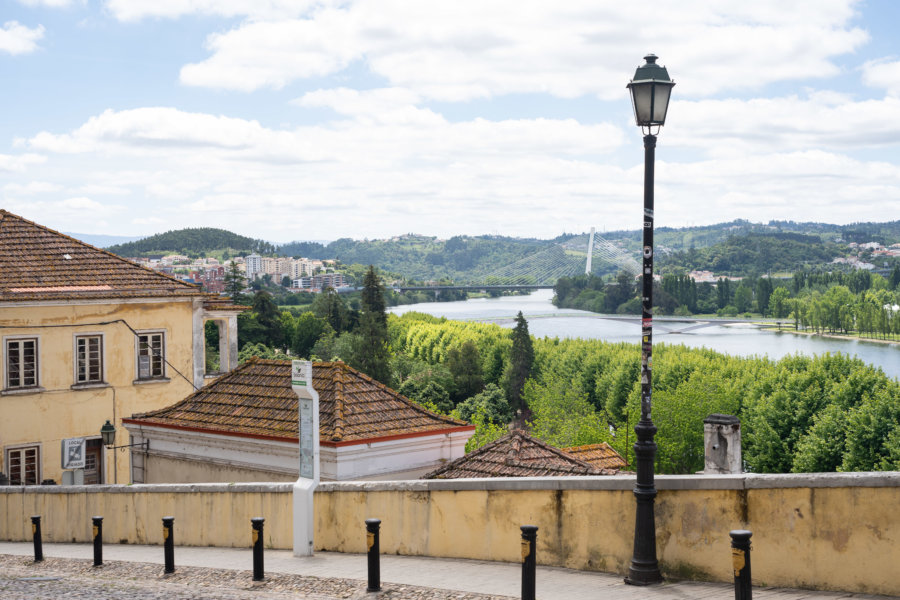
<point x="516" y="454"/>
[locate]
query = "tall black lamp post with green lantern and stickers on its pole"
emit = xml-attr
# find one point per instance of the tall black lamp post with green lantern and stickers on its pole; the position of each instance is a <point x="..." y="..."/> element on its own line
<point x="650" y="91"/>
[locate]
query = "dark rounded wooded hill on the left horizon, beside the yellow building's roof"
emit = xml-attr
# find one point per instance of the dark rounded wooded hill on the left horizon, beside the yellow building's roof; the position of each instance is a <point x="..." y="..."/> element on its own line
<point x="195" y="241"/>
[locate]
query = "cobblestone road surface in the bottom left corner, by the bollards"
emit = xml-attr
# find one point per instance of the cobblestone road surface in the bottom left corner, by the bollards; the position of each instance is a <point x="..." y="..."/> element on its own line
<point x="23" y="579"/>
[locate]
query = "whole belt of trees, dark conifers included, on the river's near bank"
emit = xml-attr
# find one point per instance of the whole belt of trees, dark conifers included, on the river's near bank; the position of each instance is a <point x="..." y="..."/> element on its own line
<point x="798" y="414"/>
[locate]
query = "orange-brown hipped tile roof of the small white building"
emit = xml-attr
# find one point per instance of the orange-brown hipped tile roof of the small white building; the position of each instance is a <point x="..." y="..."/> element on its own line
<point x="256" y="399"/>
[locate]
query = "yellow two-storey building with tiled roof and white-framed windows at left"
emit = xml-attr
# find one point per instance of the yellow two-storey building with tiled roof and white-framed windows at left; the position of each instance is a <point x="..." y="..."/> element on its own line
<point x="88" y="337"/>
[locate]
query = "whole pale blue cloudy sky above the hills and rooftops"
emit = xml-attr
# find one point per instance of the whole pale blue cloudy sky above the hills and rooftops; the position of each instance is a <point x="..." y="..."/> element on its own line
<point x="305" y="119"/>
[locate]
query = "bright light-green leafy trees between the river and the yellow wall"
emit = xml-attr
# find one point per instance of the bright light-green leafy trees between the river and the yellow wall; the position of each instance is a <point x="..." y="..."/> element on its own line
<point x="589" y="386"/>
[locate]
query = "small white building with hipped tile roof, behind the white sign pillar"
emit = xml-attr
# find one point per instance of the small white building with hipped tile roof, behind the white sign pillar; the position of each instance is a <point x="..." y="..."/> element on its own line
<point x="244" y="427"/>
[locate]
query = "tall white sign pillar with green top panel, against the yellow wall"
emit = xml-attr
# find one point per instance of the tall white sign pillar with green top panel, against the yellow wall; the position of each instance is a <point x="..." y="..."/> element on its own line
<point x="308" y="416"/>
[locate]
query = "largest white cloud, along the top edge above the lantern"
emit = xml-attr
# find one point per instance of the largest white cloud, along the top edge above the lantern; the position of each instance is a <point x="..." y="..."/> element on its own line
<point x="473" y="49"/>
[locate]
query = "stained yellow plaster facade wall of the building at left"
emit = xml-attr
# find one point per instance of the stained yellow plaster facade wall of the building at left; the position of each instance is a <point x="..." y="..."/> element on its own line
<point x="60" y="412"/>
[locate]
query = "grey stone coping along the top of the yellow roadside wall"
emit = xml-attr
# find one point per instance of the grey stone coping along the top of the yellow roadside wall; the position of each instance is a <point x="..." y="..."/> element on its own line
<point x="745" y="481"/>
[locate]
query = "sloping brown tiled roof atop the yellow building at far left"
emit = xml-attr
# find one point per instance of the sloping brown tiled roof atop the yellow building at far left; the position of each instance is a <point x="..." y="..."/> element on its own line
<point x="37" y="263"/>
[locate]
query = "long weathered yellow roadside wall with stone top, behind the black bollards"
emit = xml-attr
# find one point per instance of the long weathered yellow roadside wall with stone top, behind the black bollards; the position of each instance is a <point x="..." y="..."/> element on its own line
<point x="825" y="531"/>
